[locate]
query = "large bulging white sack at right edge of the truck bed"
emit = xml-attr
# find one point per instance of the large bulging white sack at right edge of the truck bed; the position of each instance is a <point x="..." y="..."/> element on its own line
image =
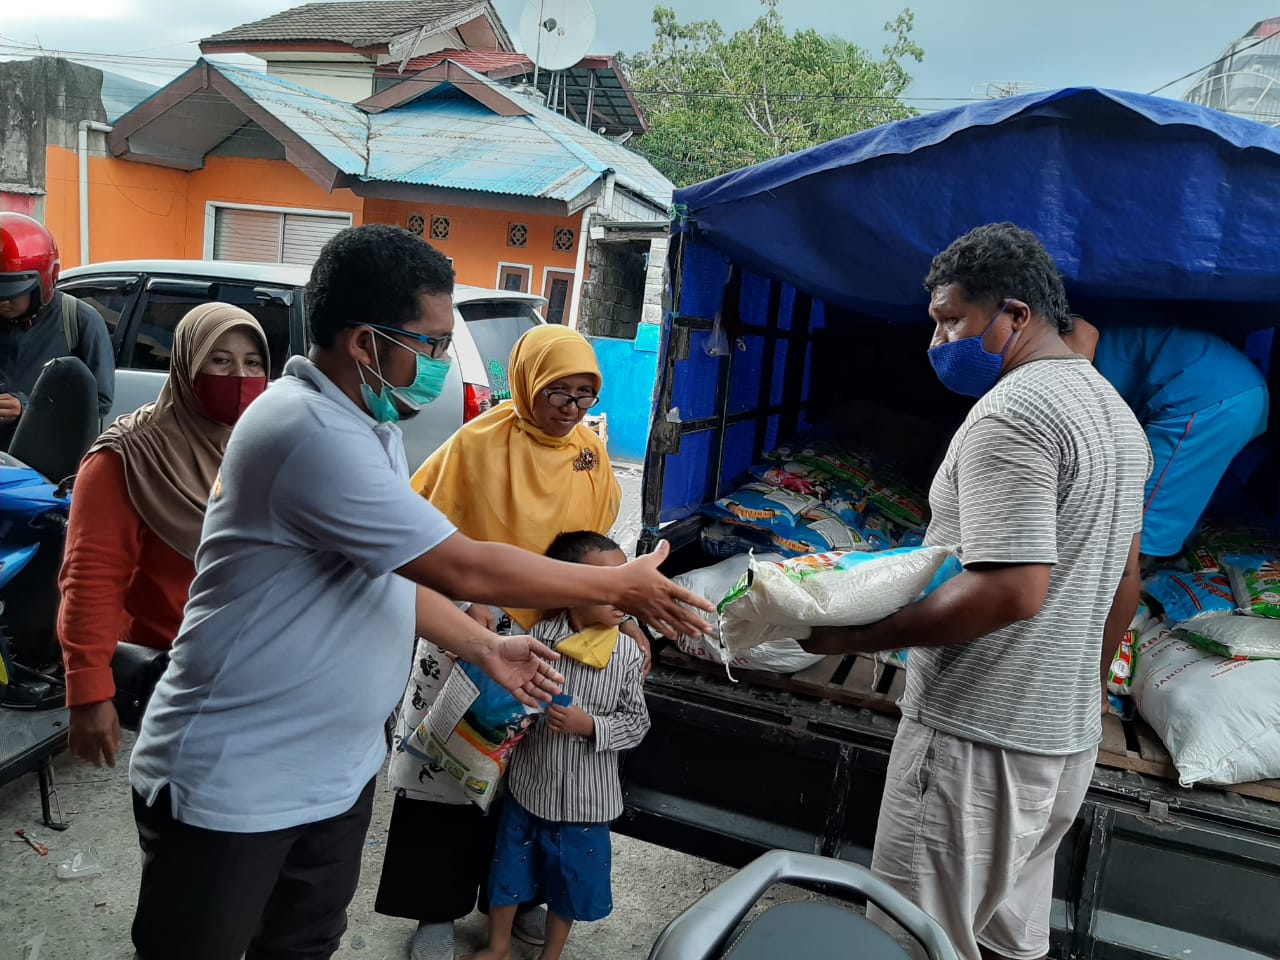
<point x="1219" y="719"/>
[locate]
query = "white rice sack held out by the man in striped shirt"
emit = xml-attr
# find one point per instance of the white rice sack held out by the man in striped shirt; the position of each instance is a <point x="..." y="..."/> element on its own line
<point x="787" y="600"/>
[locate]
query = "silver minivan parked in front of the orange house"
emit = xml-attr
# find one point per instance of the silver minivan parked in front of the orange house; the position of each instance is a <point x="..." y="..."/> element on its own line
<point x="144" y="300"/>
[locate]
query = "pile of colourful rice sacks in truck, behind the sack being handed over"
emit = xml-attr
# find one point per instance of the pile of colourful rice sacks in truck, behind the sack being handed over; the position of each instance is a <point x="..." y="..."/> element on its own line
<point x="816" y="499"/>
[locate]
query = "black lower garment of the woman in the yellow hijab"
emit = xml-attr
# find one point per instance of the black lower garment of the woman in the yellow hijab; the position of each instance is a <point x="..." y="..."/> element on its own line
<point x="437" y="862"/>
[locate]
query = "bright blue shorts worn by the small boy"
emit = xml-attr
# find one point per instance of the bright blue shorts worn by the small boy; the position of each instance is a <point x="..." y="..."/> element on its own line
<point x="569" y="863"/>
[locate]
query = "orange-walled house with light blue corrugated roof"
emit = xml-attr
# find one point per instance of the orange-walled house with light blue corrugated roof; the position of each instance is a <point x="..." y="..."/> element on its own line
<point x="230" y="163"/>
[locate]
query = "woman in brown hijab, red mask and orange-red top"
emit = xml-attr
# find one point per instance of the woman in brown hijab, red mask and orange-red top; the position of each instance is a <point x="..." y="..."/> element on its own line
<point x="138" y="511"/>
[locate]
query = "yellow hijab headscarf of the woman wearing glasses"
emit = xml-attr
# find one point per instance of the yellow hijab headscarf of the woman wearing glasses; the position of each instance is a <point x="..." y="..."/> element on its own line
<point x="502" y="479"/>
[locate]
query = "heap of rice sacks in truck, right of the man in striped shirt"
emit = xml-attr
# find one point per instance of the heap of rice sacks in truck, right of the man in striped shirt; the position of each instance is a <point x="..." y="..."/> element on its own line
<point x="1206" y="661"/>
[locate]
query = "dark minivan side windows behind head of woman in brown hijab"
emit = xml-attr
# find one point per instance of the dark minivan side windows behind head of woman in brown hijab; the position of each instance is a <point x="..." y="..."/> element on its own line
<point x="170" y="301"/>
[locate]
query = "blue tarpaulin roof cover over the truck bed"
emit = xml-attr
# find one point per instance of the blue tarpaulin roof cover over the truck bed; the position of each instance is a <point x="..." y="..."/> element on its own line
<point x="1137" y="198"/>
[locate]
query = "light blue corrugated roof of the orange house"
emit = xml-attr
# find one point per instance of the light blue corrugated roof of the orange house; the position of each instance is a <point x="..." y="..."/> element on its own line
<point x="452" y="141"/>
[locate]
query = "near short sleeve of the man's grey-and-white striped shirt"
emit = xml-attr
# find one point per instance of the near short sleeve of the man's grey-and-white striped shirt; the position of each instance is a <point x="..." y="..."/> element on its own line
<point x="1007" y="481"/>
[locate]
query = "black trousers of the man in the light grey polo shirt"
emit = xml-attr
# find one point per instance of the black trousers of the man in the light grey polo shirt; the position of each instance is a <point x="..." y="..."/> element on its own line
<point x="208" y="895"/>
